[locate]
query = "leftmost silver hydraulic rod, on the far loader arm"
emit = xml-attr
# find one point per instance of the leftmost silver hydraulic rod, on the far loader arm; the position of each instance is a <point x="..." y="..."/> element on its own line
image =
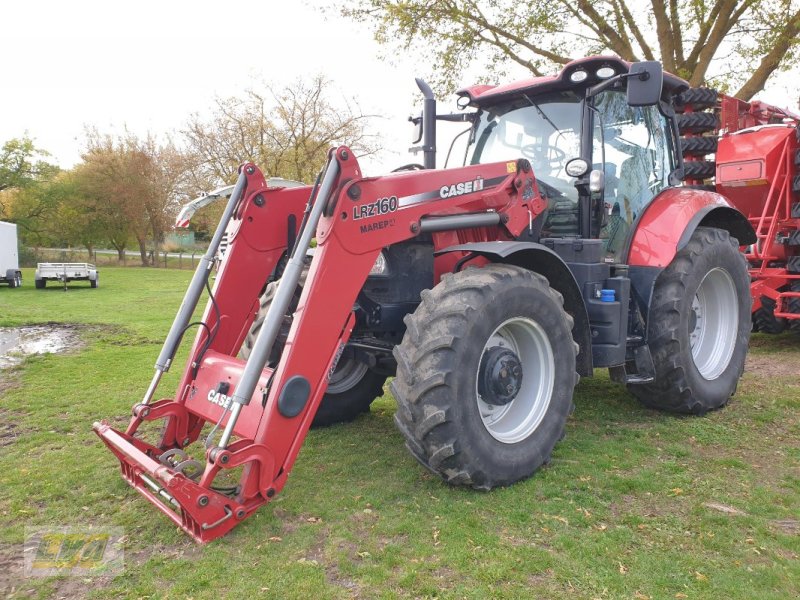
<point x="194" y="291"/>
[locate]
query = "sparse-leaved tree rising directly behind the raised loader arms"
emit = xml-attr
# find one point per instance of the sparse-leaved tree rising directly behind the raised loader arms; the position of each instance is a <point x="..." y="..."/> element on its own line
<point x="287" y="133"/>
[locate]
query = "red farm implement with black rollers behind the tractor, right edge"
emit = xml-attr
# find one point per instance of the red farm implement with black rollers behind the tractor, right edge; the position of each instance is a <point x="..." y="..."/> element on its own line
<point x="757" y="167"/>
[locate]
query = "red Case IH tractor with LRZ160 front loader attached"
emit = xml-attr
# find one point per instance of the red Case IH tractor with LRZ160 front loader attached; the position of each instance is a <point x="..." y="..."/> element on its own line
<point x="566" y="243"/>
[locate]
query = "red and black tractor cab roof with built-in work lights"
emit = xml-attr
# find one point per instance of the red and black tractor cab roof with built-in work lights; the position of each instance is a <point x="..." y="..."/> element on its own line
<point x="576" y="75"/>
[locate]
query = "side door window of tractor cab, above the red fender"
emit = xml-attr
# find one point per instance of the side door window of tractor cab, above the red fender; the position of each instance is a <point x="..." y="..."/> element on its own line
<point x="633" y="142"/>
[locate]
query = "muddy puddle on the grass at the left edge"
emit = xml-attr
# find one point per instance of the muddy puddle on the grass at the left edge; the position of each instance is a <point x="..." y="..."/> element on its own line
<point x="18" y="342"/>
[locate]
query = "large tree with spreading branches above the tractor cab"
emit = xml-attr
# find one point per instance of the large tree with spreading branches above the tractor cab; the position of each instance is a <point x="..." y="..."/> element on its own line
<point x="726" y="43"/>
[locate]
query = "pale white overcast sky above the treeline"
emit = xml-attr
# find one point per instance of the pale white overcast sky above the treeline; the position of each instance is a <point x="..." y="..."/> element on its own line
<point x="148" y="65"/>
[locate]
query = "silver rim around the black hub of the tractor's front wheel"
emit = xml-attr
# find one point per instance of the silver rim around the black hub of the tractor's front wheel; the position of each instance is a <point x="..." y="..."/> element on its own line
<point x="516" y="421"/>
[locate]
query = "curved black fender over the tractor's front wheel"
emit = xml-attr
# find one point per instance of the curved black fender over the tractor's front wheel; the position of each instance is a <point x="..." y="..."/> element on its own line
<point x="542" y="260"/>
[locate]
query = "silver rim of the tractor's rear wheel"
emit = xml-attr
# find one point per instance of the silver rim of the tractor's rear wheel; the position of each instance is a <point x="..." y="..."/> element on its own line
<point x="713" y="323"/>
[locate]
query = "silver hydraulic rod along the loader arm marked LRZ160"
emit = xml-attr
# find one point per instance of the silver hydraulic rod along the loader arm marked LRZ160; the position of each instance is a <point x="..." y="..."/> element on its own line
<point x="254" y="368"/>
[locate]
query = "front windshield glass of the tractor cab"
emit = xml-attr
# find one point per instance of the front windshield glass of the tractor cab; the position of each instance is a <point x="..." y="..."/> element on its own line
<point x="545" y="129"/>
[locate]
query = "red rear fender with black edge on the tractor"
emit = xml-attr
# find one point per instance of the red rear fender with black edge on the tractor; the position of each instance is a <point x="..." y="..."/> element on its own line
<point x="669" y="221"/>
